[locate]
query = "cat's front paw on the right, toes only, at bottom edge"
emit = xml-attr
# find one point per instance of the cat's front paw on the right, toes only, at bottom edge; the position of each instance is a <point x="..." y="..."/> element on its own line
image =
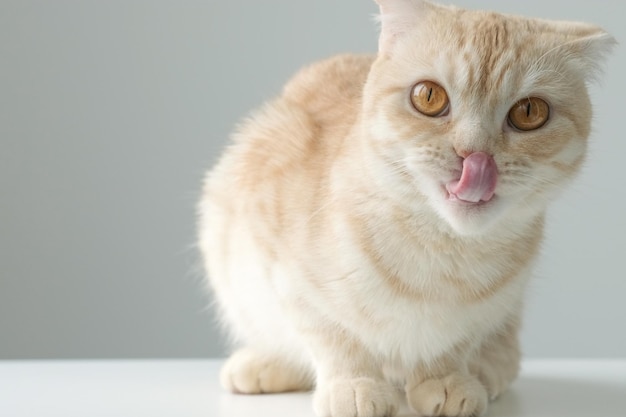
<point x="455" y="395"/>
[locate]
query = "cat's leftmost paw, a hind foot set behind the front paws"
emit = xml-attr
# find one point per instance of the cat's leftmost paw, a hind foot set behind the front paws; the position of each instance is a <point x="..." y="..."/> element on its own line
<point x="247" y="372"/>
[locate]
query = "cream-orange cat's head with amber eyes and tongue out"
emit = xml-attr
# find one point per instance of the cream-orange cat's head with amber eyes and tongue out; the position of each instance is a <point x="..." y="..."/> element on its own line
<point x="485" y="115"/>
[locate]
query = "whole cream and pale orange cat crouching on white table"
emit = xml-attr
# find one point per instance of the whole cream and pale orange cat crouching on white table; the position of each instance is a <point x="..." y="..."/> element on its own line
<point x="369" y="233"/>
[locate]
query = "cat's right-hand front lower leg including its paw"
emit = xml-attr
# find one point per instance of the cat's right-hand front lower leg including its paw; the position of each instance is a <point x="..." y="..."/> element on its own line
<point x="446" y="388"/>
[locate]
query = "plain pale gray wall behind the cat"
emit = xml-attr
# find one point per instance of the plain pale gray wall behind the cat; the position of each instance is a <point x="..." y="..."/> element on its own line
<point x="110" y="111"/>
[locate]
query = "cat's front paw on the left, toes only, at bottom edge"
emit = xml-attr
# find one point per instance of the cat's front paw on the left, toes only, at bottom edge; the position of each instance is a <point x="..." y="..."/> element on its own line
<point x="358" y="397"/>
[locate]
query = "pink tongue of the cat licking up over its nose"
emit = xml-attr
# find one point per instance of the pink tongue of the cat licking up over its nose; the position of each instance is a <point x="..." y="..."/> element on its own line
<point x="478" y="179"/>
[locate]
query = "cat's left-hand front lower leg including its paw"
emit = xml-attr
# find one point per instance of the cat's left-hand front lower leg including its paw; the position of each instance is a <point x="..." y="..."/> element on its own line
<point x="350" y="382"/>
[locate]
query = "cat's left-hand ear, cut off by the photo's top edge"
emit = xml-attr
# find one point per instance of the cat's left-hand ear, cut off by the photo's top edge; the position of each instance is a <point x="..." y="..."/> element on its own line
<point x="397" y="17"/>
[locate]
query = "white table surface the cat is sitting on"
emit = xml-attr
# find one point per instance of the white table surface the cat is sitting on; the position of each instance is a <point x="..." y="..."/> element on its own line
<point x="181" y="388"/>
